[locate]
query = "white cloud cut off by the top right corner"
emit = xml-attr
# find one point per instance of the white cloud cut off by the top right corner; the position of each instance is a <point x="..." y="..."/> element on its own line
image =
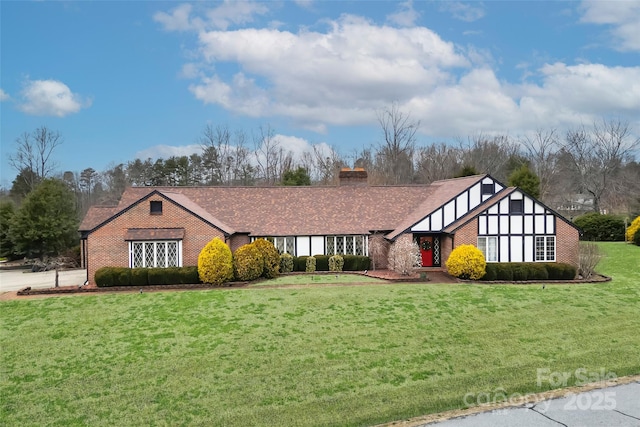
<point x="622" y="16"/>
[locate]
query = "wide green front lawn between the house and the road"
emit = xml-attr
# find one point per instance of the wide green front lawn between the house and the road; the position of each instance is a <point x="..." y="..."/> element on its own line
<point x="352" y="355"/>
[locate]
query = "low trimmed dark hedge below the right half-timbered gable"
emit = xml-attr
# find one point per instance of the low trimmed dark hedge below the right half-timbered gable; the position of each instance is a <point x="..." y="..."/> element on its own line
<point x="520" y="271"/>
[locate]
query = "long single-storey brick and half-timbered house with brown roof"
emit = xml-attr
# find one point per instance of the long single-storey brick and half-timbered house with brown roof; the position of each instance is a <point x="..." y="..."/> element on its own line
<point x="168" y="226"/>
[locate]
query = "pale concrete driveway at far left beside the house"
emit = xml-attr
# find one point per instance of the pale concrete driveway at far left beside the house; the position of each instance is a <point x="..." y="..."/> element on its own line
<point x="14" y="280"/>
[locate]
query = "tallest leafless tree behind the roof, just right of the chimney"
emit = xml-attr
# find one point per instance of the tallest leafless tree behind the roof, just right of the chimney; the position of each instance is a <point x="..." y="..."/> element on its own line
<point x="395" y="156"/>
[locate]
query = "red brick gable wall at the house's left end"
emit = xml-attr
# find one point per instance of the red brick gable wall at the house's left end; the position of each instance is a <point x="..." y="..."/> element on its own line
<point x="107" y="248"/>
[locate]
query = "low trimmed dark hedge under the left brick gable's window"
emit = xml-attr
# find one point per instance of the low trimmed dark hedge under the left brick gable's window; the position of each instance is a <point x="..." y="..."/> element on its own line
<point x="122" y="276"/>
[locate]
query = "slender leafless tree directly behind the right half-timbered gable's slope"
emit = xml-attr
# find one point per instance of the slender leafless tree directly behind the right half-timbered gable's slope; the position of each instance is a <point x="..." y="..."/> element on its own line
<point x="542" y="149"/>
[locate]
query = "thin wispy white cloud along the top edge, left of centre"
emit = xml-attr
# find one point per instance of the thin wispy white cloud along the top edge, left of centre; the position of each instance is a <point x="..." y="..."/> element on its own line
<point x="221" y="17"/>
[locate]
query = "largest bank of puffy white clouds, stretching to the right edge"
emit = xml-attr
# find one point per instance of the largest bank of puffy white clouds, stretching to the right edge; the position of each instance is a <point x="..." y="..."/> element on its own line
<point x="343" y="75"/>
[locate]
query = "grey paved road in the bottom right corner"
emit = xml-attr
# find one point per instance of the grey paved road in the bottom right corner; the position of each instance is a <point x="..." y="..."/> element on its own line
<point x="617" y="406"/>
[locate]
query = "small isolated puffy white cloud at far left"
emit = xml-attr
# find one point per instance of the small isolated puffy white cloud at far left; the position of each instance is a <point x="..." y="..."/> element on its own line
<point x="50" y="98"/>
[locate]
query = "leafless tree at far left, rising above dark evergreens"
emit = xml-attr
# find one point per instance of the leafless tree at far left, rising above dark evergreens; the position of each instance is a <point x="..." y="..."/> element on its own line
<point x="32" y="159"/>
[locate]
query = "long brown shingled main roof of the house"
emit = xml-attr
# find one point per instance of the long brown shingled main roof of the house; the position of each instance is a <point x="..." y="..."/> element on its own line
<point x="308" y="210"/>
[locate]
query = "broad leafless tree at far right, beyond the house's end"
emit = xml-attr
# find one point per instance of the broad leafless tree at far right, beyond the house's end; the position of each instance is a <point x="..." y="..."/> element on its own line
<point x="596" y="156"/>
